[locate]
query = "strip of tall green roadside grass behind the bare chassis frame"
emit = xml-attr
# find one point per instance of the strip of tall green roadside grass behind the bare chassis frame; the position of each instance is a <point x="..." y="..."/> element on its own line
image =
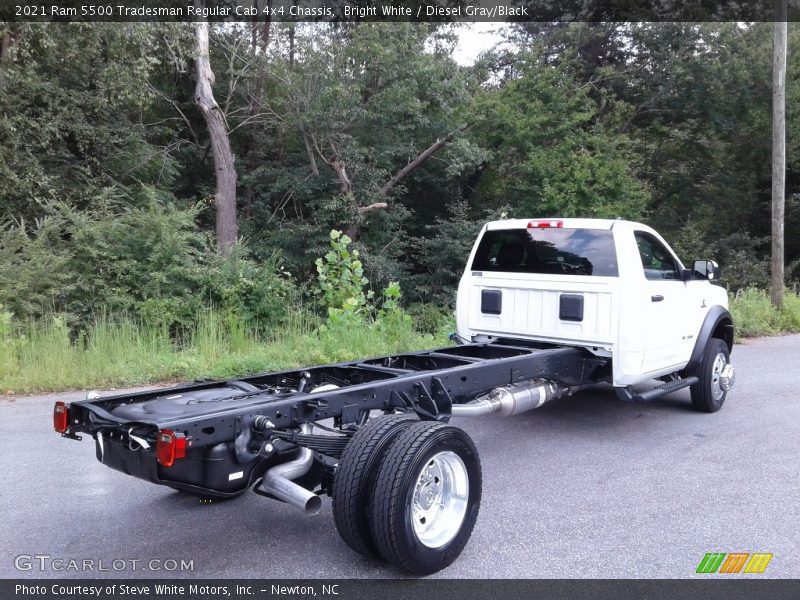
<point x="41" y="355"/>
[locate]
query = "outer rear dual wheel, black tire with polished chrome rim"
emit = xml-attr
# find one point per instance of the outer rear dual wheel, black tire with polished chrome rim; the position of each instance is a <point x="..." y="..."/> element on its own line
<point x="408" y="529"/>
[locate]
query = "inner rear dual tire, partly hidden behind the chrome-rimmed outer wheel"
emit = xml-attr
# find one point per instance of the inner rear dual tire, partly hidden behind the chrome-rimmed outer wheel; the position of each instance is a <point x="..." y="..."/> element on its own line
<point x="354" y="482"/>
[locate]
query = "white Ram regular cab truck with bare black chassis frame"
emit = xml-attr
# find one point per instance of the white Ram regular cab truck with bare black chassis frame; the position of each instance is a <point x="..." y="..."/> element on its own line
<point x="544" y="308"/>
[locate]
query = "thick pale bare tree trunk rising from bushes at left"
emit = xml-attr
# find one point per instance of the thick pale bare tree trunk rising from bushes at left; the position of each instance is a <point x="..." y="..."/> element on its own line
<point x="225" y="198"/>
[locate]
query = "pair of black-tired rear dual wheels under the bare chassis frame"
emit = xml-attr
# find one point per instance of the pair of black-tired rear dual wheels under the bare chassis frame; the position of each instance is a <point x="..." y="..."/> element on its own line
<point x="408" y="492"/>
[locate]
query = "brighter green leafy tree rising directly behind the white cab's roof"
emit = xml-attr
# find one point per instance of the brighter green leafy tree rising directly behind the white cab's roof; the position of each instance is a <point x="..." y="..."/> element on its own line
<point x="553" y="151"/>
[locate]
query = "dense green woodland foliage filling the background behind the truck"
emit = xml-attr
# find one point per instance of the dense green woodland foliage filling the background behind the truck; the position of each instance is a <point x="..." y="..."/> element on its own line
<point x="107" y="180"/>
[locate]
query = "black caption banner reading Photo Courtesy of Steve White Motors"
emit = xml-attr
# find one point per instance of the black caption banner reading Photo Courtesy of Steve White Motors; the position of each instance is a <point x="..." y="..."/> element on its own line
<point x="712" y="588"/>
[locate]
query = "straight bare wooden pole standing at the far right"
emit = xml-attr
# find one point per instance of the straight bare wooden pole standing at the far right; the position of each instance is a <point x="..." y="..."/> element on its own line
<point x="778" y="154"/>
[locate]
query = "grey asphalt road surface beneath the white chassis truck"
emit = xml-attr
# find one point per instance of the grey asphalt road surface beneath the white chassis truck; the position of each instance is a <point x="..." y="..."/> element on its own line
<point x="586" y="486"/>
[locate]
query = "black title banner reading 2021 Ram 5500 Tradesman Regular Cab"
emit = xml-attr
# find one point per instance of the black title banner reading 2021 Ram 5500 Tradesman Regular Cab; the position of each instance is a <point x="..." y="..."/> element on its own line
<point x="399" y="10"/>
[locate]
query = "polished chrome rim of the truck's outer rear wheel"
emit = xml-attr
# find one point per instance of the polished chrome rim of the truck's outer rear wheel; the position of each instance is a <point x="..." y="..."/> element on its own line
<point x="439" y="501"/>
